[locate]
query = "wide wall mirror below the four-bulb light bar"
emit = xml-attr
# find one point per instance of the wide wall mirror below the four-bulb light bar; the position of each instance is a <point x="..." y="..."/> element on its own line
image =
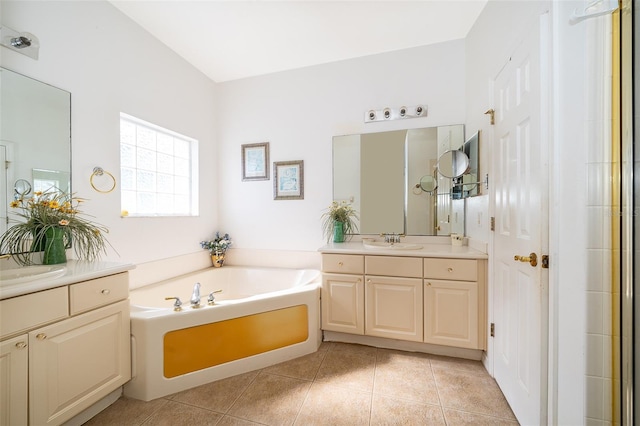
<point x="381" y="175"/>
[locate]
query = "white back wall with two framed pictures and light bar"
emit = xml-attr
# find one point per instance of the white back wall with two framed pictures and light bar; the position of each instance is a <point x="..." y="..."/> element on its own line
<point x="300" y="111"/>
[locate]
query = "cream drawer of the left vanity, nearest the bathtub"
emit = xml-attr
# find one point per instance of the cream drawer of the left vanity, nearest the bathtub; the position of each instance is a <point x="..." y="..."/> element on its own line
<point x="99" y="292"/>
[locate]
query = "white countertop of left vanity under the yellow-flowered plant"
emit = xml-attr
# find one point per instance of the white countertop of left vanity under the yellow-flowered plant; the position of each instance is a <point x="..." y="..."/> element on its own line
<point x="75" y="271"/>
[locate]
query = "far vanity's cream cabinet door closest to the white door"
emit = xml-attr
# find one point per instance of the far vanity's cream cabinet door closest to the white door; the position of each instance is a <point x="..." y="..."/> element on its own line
<point x="451" y="313"/>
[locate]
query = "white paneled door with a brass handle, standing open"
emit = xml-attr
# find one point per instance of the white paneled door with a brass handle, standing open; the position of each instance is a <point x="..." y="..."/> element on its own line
<point x="520" y="202"/>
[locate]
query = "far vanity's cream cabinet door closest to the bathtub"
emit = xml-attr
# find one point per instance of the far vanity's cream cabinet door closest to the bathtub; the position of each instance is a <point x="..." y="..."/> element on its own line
<point x="343" y="303"/>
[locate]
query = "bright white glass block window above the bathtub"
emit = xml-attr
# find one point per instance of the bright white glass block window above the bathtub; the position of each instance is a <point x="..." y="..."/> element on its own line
<point x="158" y="170"/>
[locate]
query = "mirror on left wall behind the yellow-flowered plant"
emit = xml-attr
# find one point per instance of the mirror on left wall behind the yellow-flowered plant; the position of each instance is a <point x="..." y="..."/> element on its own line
<point x="35" y="140"/>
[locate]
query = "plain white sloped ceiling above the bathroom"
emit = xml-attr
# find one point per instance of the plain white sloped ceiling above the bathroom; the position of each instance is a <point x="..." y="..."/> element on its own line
<point x="233" y="39"/>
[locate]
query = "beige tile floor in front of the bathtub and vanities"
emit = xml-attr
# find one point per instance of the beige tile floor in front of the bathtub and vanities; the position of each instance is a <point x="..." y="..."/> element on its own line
<point x="341" y="384"/>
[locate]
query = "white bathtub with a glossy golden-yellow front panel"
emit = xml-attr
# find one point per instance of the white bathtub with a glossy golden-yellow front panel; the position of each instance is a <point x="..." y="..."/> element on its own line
<point x="260" y="317"/>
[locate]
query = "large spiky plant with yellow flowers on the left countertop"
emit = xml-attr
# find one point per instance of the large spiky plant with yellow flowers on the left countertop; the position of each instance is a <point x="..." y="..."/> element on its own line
<point x="51" y="222"/>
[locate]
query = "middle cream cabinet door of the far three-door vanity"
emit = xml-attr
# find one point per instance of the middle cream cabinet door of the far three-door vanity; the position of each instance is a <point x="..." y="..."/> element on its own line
<point x="394" y="308"/>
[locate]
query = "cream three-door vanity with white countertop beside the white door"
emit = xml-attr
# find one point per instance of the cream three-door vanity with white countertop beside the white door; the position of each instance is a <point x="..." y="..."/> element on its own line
<point x="434" y="295"/>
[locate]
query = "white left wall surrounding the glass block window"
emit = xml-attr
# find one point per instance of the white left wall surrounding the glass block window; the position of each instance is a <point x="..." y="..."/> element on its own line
<point x="110" y="65"/>
